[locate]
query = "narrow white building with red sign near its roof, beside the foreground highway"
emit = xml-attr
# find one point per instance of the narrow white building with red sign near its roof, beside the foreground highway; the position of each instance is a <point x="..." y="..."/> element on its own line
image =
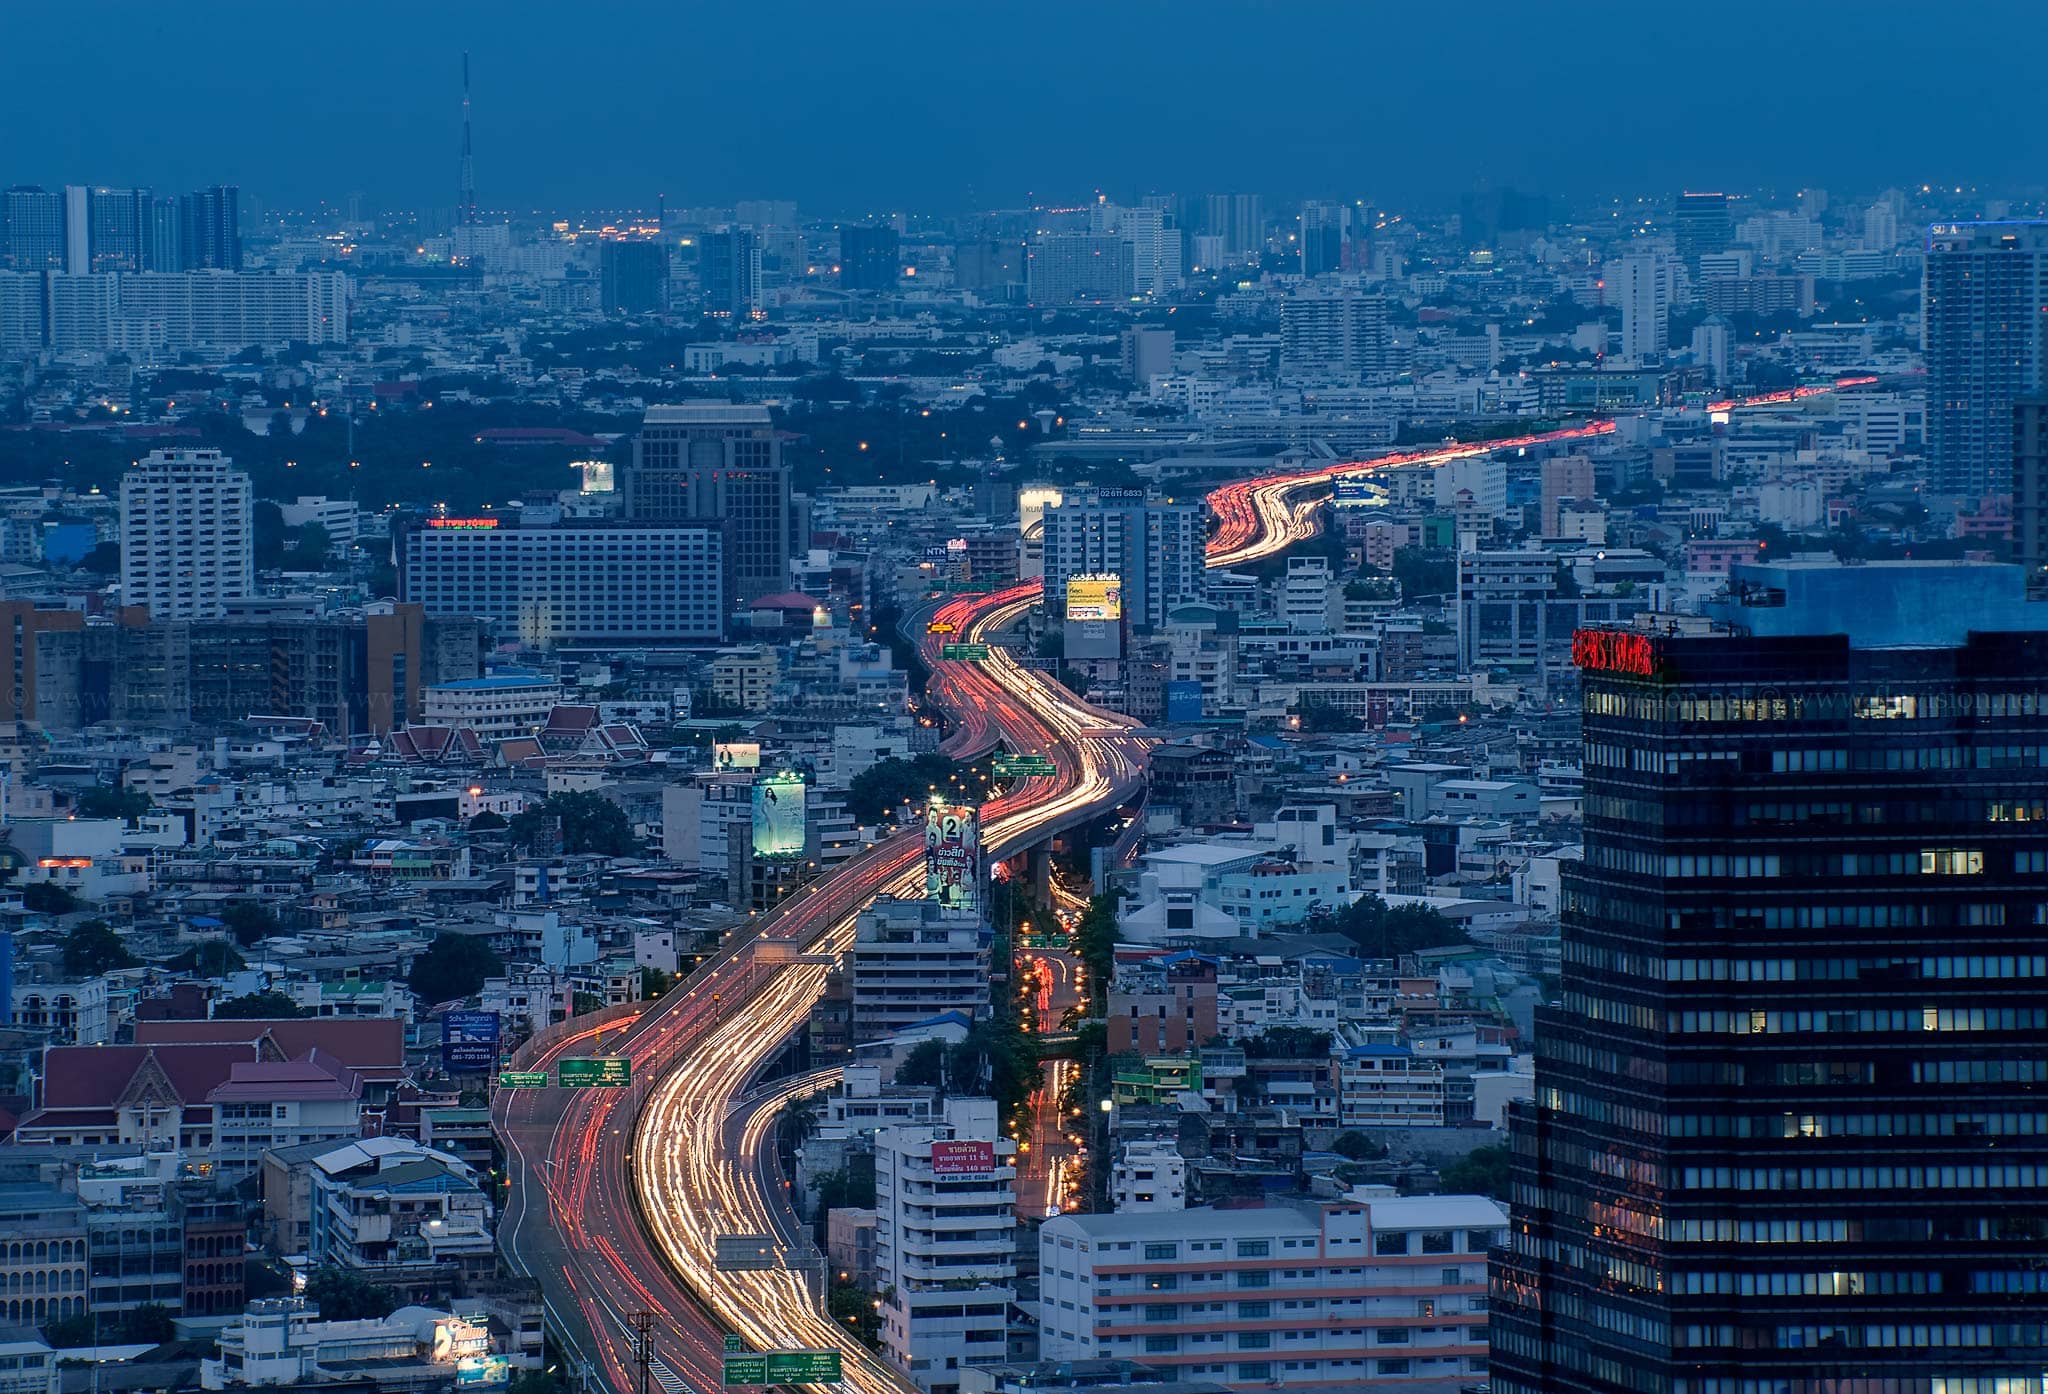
<point x="945" y="1244"/>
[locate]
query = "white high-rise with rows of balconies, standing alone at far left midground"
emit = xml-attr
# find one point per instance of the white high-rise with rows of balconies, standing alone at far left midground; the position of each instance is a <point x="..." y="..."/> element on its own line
<point x="187" y="535"/>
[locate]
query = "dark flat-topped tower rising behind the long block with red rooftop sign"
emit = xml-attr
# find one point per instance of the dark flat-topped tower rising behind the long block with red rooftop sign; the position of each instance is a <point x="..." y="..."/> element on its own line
<point x="724" y="464"/>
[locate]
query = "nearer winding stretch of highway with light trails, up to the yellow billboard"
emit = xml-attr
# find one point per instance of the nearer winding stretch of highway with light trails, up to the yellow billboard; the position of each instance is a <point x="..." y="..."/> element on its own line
<point x="622" y="1196"/>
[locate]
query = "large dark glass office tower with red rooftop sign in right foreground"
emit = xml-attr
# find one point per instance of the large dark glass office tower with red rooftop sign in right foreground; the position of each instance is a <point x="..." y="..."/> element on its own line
<point x="1789" y="1131"/>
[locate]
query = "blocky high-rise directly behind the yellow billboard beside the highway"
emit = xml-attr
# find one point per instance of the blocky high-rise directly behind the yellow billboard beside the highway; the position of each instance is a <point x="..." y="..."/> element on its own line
<point x="1152" y="546"/>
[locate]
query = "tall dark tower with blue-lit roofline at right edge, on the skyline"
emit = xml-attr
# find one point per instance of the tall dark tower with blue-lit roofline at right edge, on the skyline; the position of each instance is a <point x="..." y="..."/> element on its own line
<point x="1981" y="318"/>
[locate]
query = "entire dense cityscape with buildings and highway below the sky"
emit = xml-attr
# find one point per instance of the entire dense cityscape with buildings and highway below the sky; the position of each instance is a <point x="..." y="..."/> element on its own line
<point x="1203" y="789"/>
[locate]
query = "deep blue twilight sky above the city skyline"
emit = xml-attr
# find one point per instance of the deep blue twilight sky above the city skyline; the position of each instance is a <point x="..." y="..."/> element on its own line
<point x="861" y="105"/>
